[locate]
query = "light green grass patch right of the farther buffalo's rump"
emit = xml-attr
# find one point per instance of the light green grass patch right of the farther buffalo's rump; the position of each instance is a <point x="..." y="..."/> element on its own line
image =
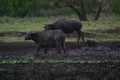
<point x="100" y="25"/>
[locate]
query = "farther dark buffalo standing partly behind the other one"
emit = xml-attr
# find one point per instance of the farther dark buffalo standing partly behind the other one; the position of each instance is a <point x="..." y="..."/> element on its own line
<point x="67" y="26"/>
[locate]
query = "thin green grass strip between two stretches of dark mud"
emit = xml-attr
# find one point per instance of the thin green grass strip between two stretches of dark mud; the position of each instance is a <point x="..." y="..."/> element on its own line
<point x="57" y="61"/>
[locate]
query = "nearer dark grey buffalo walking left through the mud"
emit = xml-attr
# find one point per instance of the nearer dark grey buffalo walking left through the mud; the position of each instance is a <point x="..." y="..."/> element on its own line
<point x="48" y="38"/>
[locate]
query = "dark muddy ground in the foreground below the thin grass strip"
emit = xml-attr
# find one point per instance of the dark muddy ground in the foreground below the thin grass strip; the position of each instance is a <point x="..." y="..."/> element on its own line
<point x="60" y="71"/>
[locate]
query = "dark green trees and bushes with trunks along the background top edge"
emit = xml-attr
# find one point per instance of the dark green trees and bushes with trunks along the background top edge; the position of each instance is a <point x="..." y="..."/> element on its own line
<point x="22" y="8"/>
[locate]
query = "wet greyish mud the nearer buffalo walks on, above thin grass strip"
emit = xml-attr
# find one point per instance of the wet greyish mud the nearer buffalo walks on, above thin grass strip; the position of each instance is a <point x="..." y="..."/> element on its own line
<point x="74" y="50"/>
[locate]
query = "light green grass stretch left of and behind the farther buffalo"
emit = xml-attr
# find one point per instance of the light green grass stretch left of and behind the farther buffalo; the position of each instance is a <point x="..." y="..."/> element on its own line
<point x="25" y="24"/>
